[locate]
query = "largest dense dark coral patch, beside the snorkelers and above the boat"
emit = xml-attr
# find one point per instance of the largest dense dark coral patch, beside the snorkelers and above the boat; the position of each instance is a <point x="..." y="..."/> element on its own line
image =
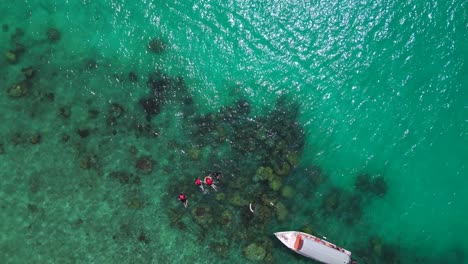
<point x="259" y="153"/>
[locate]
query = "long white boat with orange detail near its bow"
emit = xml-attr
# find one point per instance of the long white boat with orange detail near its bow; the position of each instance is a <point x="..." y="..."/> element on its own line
<point x="314" y="247"/>
